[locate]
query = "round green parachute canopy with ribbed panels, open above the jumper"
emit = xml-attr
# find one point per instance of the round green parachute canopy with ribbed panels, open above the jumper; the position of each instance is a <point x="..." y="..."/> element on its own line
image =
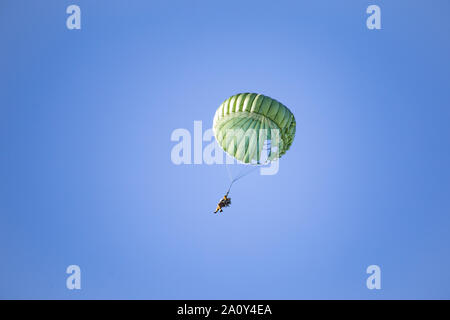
<point x="253" y="128"/>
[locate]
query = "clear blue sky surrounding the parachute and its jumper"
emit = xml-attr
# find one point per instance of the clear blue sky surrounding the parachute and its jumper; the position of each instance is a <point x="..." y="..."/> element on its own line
<point x="86" y="175"/>
